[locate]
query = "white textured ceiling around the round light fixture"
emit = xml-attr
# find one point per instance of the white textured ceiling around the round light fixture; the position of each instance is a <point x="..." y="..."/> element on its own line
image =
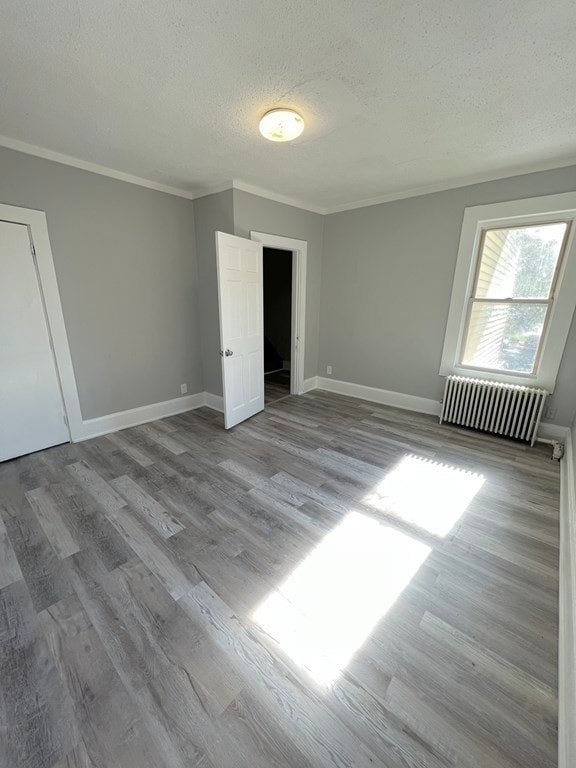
<point x="397" y="95"/>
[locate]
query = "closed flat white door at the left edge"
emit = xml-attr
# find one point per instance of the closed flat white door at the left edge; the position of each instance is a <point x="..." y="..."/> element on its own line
<point x="31" y="407"/>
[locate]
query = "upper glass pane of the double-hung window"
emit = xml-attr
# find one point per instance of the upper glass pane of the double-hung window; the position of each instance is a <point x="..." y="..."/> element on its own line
<point x="519" y="262"/>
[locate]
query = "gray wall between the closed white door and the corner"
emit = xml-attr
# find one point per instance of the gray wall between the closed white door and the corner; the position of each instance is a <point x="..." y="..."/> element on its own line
<point x="126" y="269"/>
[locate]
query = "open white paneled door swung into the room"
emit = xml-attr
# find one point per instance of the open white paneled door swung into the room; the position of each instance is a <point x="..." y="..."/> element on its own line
<point x="240" y="289"/>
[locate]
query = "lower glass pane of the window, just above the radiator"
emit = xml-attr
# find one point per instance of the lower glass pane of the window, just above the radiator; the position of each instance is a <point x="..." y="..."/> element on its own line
<point x="504" y="336"/>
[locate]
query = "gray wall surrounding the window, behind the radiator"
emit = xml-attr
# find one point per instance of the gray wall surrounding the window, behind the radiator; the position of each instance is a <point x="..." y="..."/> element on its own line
<point x="387" y="276"/>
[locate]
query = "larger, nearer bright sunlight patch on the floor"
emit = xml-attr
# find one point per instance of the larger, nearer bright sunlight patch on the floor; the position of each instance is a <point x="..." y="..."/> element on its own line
<point x="329" y="605"/>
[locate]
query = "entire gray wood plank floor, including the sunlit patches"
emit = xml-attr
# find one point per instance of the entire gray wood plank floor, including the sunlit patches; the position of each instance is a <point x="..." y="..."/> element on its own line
<point x="332" y="584"/>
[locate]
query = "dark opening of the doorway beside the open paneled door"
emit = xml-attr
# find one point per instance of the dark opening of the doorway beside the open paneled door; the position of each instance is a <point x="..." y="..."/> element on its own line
<point x="277" y="289"/>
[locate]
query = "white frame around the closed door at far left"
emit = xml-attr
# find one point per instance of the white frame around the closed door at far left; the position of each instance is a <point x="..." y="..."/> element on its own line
<point x="41" y="252"/>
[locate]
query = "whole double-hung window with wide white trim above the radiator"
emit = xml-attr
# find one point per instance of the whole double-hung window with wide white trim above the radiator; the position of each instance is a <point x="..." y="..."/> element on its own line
<point x="514" y="291"/>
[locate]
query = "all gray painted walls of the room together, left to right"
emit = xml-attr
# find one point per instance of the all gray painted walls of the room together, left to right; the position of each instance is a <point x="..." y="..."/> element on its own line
<point x="139" y="326"/>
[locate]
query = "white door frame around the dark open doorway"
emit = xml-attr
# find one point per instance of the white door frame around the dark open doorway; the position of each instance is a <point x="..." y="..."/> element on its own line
<point x="299" y="250"/>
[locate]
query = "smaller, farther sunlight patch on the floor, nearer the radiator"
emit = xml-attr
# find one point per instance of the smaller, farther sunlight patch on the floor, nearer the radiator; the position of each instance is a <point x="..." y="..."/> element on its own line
<point x="430" y="495"/>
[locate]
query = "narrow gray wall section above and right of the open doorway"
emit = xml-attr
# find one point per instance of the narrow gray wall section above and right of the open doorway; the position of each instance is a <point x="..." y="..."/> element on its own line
<point x="261" y="215"/>
